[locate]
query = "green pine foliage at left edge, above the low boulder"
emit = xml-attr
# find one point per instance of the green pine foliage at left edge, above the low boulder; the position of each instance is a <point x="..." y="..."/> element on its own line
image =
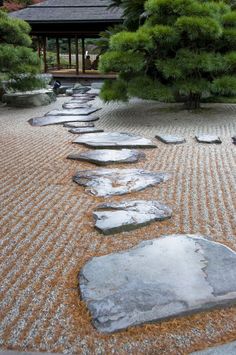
<point x="17" y="59"/>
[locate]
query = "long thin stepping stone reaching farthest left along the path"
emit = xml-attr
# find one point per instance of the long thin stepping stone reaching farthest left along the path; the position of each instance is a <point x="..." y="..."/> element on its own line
<point x="50" y="120"/>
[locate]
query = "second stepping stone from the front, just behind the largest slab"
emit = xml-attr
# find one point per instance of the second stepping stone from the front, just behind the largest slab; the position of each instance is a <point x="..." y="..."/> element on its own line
<point x="120" y="217"/>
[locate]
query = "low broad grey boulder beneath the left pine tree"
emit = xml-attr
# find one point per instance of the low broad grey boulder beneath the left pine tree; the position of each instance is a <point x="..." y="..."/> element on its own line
<point x="30" y="98"/>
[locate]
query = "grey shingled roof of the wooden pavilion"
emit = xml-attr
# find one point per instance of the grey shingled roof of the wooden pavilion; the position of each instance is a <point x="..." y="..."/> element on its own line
<point x="70" y="11"/>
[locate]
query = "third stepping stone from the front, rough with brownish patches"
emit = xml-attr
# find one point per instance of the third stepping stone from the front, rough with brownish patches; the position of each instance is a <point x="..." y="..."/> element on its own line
<point x="111" y="182"/>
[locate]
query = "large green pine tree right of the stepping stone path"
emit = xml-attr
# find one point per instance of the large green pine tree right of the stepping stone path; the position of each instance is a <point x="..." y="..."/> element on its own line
<point x="184" y="47"/>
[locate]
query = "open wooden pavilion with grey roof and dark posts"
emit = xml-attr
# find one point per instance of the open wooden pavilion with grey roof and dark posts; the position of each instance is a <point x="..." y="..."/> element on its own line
<point x="73" y="20"/>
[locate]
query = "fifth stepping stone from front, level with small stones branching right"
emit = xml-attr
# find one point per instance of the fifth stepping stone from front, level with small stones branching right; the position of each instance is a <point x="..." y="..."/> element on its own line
<point x="114" y="140"/>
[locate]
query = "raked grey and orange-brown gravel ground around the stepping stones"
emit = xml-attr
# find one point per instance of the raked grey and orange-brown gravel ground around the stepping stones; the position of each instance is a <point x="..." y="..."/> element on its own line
<point x="47" y="230"/>
